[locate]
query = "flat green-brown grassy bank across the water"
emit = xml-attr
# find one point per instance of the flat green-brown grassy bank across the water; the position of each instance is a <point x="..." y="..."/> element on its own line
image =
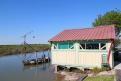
<point x="16" y="49"/>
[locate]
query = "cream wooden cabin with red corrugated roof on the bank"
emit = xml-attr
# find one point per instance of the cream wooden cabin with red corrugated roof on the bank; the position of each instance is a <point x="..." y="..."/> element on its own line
<point x="84" y="48"/>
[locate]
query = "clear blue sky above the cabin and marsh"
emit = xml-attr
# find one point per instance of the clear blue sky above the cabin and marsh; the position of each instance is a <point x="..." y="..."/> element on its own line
<point x="46" y="18"/>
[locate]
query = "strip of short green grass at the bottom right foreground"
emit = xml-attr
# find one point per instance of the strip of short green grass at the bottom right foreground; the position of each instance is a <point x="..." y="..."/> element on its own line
<point x="100" y="78"/>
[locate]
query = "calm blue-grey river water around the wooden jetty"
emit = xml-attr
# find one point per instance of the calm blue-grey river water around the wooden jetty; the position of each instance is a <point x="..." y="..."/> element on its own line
<point x="12" y="69"/>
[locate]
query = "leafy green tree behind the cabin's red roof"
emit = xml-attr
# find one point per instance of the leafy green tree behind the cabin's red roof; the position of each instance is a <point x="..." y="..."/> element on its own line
<point x="109" y="18"/>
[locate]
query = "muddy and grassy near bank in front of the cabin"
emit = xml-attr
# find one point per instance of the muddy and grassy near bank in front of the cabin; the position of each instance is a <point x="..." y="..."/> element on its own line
<point x="79" y="76"/>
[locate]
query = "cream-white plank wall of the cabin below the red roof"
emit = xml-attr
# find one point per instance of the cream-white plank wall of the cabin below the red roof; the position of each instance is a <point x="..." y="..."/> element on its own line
<point x="79" y="58"/>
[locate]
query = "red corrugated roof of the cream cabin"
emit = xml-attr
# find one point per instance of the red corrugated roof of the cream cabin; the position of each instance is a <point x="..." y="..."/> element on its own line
<point x="96" y="33"/>
